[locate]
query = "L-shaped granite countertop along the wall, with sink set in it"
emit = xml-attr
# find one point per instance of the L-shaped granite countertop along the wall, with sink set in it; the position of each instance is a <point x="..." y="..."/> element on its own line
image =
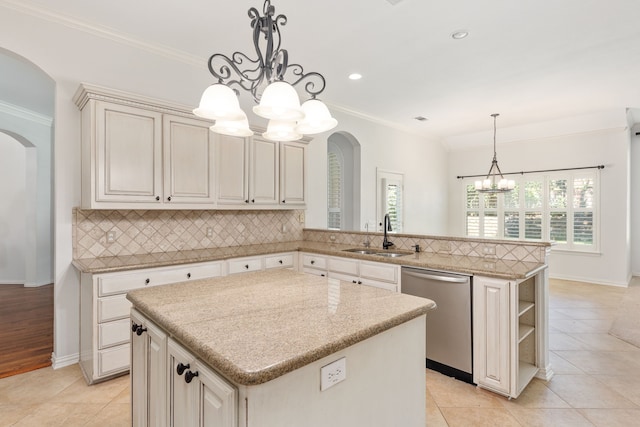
<point x="503" y="269"/>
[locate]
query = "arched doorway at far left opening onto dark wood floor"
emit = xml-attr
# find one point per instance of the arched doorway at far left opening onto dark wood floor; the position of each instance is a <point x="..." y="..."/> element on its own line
<point x="27" y="102"/>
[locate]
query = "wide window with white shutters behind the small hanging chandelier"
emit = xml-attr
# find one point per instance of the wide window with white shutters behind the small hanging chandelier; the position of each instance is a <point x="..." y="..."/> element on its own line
<point x="558" y="206"/>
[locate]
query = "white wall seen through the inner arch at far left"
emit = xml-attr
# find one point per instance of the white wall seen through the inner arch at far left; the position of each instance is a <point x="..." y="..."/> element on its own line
<point x="12" y="210"/>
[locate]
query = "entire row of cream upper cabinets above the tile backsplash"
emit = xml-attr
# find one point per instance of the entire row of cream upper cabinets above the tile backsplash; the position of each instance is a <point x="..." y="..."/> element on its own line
<point x="139" y="153"/>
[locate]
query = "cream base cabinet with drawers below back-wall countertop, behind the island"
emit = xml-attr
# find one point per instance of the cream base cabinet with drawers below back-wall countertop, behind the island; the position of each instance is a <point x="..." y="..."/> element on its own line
<point x="104" y="313"/>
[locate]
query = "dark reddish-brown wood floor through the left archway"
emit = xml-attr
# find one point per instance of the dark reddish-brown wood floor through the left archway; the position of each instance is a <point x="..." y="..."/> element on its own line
<point x="26" y="328"/>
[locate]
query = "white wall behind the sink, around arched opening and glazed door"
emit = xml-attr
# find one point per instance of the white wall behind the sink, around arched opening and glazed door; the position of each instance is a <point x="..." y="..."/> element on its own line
<point x="423" y="162"/>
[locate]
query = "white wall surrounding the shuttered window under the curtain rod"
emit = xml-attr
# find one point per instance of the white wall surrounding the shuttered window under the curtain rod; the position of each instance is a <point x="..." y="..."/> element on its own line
<point x="608" y="146"/>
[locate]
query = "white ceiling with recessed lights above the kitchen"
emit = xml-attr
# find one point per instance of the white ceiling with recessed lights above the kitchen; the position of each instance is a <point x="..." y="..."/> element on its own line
<point x="529" y="60"/>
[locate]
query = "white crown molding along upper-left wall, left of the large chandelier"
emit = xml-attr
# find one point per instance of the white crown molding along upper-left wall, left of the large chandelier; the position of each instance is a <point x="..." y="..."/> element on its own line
<point x="102" y="31"/>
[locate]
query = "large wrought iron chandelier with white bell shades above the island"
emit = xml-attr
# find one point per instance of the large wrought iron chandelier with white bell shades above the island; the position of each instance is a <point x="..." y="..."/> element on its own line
<point x="264" y="77"/>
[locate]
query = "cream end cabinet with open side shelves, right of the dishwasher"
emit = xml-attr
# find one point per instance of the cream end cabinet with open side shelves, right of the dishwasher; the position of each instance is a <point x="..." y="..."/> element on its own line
<point x="506" y="342"/>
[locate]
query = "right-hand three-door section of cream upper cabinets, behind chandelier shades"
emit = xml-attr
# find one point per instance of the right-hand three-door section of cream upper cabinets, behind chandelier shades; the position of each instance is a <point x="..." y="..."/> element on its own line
<point x="258" y="173"/>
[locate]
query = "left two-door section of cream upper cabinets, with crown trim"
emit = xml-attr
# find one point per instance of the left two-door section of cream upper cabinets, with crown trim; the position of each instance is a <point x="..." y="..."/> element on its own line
<point x="140" y="154"/>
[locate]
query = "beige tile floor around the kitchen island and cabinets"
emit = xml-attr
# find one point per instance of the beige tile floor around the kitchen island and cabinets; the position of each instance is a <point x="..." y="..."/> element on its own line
<point x="596" y="382"/>
